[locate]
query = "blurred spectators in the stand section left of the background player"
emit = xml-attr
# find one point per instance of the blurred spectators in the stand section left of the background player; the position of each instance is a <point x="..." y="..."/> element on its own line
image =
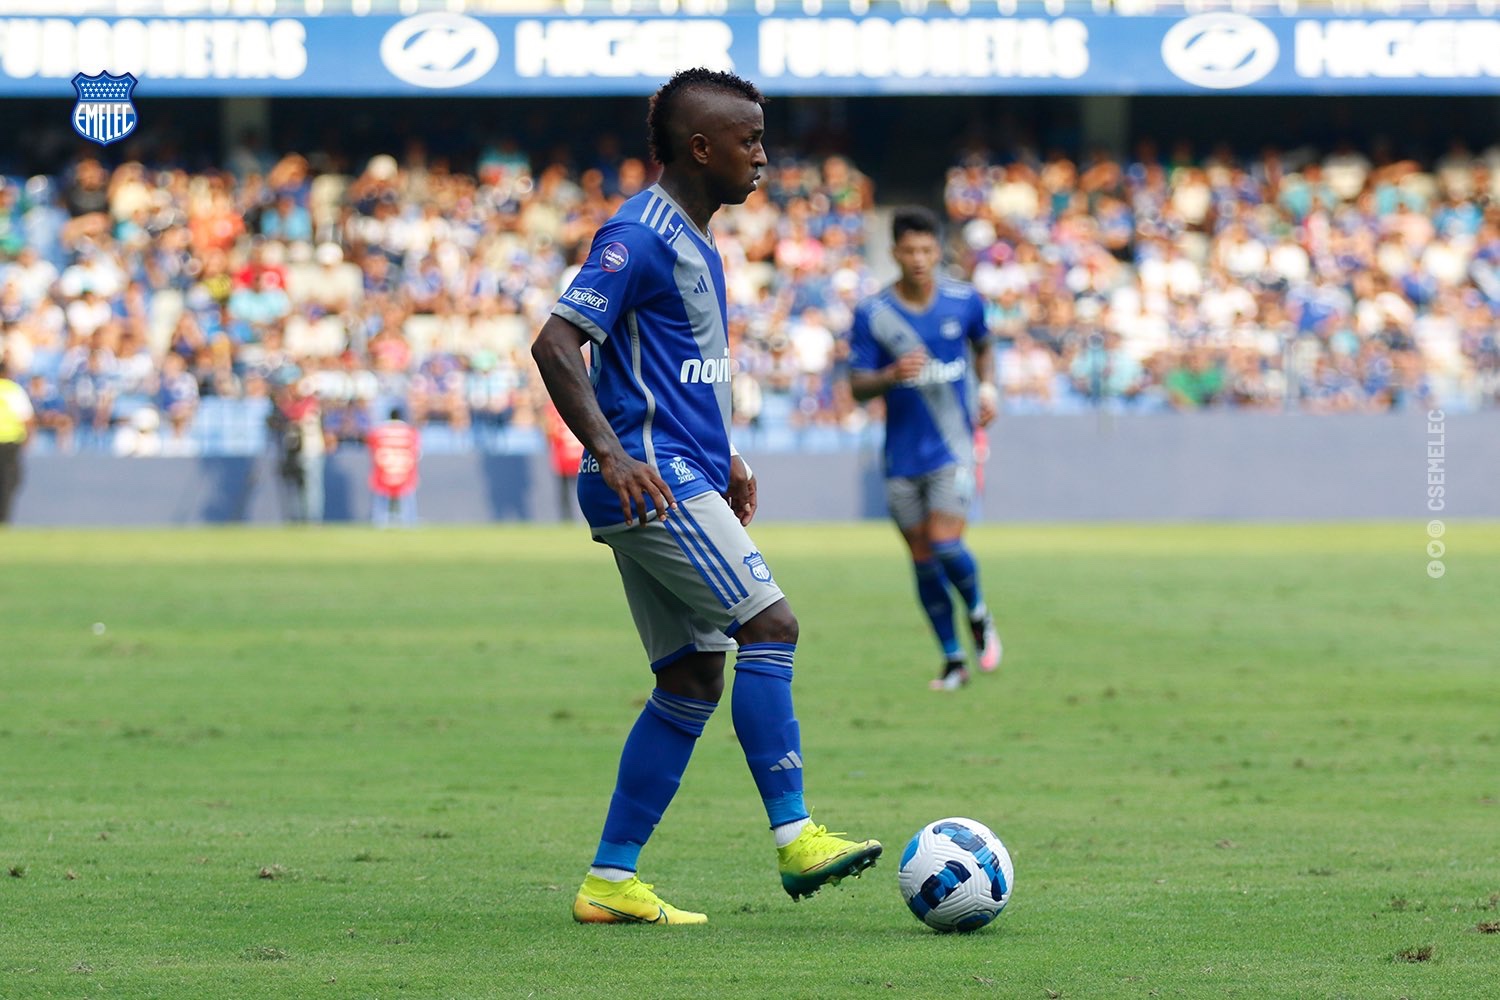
<point x="131" y="298"/>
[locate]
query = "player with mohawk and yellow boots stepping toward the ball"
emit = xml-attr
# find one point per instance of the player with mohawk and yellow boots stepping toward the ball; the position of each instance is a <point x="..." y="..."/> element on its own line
<point x="662" y="487"/>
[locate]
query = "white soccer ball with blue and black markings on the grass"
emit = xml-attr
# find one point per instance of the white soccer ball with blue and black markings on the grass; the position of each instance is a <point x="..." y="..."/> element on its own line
<point x="956" y="875"/>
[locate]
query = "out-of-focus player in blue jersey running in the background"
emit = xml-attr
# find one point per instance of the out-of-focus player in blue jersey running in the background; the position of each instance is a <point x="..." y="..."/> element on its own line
<point x="923" y="344"/>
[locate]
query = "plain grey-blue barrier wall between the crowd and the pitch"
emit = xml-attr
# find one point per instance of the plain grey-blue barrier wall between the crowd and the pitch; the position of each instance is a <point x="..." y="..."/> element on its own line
<point x="1207" y="467"/>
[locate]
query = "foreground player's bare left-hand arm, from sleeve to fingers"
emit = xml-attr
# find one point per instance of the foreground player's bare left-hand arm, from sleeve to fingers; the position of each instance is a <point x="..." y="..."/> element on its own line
<point x="559" y="352"/>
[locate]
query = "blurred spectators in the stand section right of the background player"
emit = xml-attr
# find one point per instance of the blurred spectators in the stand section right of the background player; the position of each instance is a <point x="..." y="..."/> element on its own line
<point x="1327" y="283"/>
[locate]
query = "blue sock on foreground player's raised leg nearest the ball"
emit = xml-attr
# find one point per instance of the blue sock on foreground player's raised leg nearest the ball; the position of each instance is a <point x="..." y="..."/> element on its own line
<point x="766" y="725"/>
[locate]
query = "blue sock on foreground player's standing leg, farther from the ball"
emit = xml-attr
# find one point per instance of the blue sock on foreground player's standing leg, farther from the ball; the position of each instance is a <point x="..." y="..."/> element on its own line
<point x="652" y="770"/>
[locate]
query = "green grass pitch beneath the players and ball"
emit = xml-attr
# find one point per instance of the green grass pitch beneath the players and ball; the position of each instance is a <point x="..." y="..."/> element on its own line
<point x="1228" y="761"/>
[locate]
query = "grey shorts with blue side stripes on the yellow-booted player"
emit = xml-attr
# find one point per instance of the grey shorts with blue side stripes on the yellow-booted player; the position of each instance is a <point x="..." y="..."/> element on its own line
<point x="692" y="581"/>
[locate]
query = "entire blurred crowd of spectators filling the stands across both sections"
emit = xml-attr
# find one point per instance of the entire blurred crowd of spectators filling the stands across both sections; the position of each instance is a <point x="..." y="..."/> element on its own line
<point x="1327" y="283"/>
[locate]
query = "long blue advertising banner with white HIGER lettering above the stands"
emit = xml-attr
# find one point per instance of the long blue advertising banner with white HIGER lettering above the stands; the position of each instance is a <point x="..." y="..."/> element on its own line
<point x="458" y="55"/>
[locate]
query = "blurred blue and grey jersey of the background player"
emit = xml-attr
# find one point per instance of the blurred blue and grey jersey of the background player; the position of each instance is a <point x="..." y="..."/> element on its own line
<point x="929" y="421"/>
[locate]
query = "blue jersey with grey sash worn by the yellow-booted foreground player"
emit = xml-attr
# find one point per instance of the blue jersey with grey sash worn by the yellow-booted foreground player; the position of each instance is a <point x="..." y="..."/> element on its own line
<point x="652" y="298"/>
